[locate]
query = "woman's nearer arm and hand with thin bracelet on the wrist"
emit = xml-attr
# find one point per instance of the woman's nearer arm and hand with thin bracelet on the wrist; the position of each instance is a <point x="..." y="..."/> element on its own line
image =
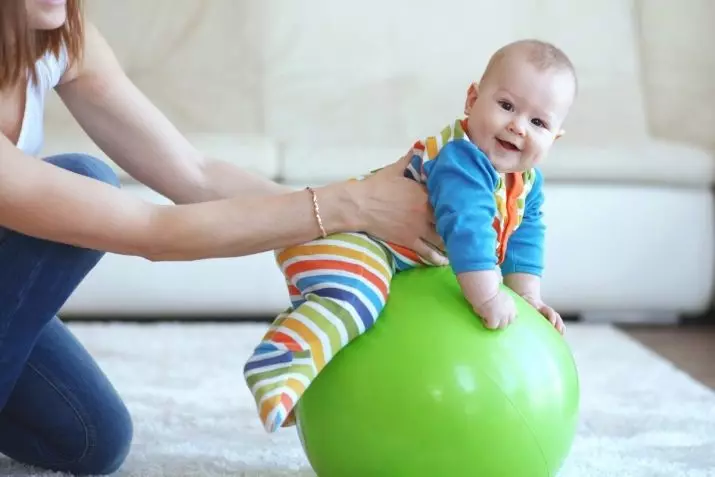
<point x="45" y="201"/>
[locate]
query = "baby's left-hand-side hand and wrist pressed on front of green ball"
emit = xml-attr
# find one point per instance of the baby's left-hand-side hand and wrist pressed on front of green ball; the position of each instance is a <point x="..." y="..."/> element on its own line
<point x="489" y="300"/>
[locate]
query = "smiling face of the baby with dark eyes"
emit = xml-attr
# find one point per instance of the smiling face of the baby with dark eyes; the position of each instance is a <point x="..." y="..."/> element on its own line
<point x="518" y="113"/>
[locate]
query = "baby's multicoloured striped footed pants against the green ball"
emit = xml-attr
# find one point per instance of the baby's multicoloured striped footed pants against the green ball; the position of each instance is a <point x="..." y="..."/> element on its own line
<point x="338" y="286"/>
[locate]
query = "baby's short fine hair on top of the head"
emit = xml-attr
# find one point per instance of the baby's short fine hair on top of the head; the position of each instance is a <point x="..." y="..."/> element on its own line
<point x="541" y="54"/>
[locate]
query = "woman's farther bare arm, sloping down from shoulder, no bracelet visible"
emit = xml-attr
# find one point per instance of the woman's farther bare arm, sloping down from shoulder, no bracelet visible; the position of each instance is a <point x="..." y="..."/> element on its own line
<point x="119" y="118"/>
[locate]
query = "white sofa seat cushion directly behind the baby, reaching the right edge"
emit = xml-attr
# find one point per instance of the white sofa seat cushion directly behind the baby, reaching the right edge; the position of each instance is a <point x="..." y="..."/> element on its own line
<point x="646" y="162"/>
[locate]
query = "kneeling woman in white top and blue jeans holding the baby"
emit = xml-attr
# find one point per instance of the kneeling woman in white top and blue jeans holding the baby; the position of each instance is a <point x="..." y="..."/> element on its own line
<point x="59" y="215"/>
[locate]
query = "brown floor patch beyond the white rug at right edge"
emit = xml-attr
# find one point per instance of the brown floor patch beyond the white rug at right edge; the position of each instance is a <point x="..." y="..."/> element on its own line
<point x="691" y="347"/>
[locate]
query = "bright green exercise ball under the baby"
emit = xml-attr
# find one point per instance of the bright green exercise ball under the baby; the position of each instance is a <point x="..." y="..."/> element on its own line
<point x="429" y="391"/>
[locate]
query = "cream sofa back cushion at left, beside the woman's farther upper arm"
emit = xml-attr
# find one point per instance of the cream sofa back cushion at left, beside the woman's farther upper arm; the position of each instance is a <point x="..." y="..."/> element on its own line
<point x="198" y="61"/>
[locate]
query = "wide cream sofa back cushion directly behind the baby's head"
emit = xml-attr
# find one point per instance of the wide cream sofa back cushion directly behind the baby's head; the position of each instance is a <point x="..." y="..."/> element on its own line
<point x="346" y="74"/>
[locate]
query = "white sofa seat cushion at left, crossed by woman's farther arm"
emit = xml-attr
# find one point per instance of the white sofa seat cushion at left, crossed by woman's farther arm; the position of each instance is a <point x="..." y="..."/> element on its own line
<point x="253" y="153"/>
